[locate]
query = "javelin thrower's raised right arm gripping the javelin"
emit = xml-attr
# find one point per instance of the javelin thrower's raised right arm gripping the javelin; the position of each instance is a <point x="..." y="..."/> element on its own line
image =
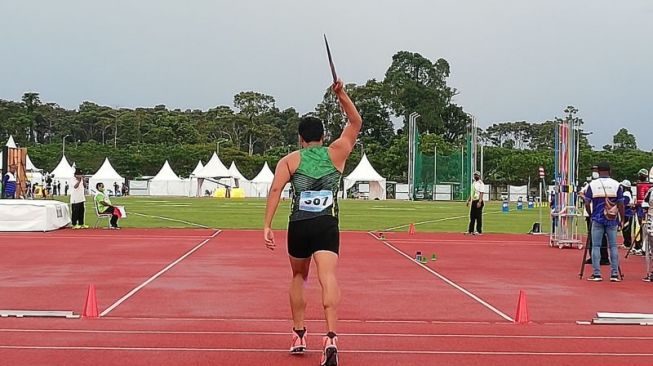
<point x="340" y="149"/>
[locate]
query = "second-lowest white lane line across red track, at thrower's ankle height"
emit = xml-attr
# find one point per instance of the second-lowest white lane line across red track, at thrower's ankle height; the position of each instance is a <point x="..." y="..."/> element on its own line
<point x="379" y="335"/>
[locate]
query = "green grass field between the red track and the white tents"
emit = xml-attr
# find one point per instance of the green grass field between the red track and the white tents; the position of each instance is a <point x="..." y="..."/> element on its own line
<point x="159" y="212"/>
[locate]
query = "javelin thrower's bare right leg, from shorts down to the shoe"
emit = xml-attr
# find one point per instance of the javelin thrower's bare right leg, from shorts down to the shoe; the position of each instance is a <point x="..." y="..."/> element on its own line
<point x="327" y="262"/>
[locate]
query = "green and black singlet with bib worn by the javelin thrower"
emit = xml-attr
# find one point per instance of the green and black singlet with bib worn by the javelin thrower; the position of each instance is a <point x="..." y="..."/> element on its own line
<point x="314" y="185"/>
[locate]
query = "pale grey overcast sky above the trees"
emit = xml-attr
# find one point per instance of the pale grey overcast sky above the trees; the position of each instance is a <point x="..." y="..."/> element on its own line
<point x="510" y="60"/>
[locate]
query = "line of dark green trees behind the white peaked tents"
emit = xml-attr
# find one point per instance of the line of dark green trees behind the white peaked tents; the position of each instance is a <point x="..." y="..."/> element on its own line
<point x="253" y="130"/>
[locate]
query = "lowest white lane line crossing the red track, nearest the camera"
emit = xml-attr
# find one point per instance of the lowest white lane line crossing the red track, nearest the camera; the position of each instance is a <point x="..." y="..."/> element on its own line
<point x="277" y="350"/>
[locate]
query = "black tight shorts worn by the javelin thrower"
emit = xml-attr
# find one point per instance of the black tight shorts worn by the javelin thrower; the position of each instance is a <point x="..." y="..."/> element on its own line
<point x="306" y="237"/>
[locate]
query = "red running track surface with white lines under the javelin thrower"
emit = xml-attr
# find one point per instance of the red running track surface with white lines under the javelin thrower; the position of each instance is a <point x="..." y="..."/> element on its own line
<point x="226" y="302"/>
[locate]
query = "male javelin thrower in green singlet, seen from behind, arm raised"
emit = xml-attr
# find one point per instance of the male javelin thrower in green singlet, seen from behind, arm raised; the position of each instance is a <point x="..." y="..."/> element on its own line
<point x="314" y="173"/>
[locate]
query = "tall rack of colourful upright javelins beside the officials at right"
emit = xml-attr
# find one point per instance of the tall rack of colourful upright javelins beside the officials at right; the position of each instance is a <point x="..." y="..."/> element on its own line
<point x="564" y="211"/>
